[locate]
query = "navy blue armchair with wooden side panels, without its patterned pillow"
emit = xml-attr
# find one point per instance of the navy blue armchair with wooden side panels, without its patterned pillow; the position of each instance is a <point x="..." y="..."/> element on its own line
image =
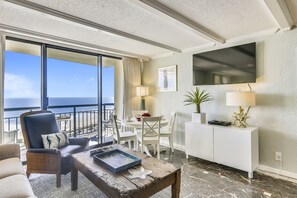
<point x="47" y="160"/>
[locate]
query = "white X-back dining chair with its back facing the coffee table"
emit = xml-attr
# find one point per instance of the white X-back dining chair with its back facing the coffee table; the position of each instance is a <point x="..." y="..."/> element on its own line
<point x="150" y="133"/>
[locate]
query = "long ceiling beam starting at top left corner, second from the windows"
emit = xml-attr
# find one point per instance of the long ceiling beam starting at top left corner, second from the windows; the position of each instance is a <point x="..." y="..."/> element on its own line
<point x="88" y="23"/>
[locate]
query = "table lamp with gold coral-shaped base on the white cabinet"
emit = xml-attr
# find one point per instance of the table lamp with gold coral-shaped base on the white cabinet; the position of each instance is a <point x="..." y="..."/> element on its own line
<point x="241" y="99"/>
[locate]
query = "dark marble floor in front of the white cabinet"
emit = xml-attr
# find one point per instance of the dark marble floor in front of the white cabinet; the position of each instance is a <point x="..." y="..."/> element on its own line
<point x="201" y="178"/>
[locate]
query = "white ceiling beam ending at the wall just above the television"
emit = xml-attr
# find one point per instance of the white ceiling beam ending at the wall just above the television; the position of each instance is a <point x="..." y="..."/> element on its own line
<point x="167" y="13"/>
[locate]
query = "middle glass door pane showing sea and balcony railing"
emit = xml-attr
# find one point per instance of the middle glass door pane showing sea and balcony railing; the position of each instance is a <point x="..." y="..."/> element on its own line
<point x="72" y="91"/>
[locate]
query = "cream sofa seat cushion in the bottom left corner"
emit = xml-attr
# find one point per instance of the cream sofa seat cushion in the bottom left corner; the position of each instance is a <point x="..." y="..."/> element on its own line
<point x="15" y="186"/>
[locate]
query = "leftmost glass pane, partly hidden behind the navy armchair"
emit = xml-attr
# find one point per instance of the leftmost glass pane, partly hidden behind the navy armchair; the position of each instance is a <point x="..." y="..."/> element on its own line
<point x="21" y="85"/>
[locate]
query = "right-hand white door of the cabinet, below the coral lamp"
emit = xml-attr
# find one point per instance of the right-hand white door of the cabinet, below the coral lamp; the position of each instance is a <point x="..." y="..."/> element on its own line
<point x="232" y="147"/>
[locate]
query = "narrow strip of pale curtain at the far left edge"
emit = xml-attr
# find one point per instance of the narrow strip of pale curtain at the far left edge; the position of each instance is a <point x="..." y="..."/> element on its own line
<point x="2" y="59"/>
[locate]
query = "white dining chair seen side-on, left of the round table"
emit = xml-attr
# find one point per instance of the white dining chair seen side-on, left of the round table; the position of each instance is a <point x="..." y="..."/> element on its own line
<point x="123" y="135"/>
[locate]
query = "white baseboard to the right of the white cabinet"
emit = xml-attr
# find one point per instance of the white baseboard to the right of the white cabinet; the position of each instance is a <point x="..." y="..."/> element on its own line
<point x="277" y="173"/>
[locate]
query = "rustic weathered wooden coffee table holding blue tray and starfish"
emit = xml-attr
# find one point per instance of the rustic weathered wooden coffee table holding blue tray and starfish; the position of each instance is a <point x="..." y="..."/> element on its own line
<point x="120" y="185"/>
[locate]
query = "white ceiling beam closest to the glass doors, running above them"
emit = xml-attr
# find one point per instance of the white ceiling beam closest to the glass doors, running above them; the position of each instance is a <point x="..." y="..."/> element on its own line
<point x="55" y="40"/>
